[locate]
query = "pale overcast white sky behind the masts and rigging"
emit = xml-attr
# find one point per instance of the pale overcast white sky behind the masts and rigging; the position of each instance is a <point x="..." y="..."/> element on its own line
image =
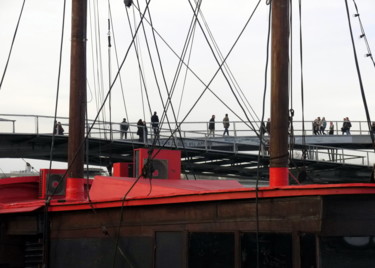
<point x="331" y="86"/>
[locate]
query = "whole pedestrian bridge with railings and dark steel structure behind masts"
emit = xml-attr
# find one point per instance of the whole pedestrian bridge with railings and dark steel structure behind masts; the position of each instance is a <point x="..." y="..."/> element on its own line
<point x="30" y="136"/>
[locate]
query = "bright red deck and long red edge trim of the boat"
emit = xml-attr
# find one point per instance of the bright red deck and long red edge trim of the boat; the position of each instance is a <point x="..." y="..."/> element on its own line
<point x="21" y="194"/>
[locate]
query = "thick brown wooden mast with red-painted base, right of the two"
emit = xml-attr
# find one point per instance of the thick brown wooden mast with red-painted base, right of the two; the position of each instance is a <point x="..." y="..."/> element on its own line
<point x="279" y="93"/>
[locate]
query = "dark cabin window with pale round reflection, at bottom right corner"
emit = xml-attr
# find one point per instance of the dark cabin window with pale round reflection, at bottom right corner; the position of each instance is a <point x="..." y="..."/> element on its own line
<point x="347" y="252"/>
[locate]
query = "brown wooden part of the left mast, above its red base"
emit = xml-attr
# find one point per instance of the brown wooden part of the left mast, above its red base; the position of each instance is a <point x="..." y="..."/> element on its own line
<point x="77" y="107"/>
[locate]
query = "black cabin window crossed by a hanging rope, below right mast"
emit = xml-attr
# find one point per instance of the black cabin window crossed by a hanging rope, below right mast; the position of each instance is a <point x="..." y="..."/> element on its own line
<point x="275" y="250"/>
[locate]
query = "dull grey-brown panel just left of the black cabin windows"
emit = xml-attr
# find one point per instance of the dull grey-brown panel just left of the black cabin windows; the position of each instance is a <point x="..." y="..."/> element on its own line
<point x="169" y="248"/>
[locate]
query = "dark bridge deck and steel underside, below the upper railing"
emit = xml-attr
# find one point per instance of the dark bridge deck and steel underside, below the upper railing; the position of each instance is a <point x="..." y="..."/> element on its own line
<point x="219" y="156"/>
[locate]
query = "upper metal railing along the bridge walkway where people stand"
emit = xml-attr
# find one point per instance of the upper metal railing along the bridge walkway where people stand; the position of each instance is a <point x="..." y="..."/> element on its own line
<point x="37" y="124"/>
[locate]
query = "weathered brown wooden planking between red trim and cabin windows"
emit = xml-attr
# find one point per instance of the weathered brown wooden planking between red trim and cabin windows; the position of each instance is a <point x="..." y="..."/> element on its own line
<point x="275" y="215"/>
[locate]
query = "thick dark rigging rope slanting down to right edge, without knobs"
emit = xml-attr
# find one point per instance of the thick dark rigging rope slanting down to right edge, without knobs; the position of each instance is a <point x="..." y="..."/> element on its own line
<point x="359" y="76"/>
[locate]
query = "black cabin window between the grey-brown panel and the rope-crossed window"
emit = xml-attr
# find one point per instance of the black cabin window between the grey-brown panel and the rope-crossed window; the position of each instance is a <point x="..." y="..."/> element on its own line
<point x="211" y="250"/>
